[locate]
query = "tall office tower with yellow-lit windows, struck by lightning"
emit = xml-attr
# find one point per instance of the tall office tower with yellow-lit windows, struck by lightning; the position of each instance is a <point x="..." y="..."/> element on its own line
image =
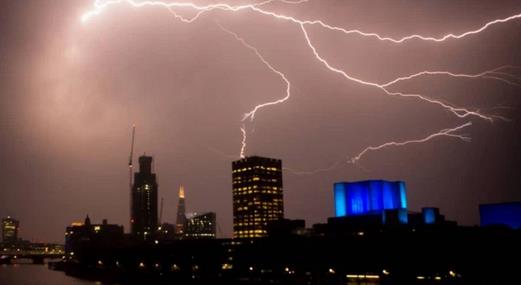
<point x="257" y="195"/>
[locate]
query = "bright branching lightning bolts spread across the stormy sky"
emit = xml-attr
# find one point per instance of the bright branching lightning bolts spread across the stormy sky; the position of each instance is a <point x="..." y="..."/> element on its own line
<point x="460" y="112"/>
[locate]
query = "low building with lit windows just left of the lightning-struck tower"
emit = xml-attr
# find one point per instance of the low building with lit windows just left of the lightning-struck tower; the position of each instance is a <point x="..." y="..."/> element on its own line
<point x="201" y="226"/>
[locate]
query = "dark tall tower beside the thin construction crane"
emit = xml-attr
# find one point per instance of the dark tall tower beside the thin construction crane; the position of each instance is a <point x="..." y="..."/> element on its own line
<point x="144" y="200"/>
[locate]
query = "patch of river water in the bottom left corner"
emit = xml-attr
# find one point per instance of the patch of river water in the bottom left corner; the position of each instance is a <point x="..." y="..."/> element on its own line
<point x="29" y="274"/>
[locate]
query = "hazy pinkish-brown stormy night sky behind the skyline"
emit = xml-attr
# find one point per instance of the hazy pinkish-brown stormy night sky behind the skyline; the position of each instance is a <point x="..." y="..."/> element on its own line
<point x="70" y="92"/>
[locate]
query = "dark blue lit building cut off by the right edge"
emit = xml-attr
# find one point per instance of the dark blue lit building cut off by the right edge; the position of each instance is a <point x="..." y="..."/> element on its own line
<point x="506" y="214"/>
